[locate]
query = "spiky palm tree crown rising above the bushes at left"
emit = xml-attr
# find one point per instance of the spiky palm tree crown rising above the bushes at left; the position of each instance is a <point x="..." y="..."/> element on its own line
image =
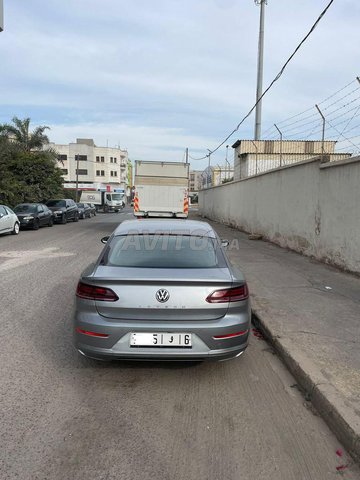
<point x="20" y="134"/>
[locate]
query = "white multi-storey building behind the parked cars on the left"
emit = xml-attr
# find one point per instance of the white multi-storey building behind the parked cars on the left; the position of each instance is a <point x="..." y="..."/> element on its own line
<point x="99" y="168"/>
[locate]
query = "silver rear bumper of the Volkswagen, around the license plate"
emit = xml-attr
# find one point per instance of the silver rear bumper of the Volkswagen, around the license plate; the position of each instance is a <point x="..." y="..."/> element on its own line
<point x="204" y="346"/>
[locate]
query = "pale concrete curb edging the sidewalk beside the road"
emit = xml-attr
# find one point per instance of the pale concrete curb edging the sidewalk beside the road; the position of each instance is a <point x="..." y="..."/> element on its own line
<point x="331" y="406"/>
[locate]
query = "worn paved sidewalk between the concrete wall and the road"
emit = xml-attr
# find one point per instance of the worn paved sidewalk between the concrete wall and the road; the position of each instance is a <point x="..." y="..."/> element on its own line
<point x="310" y="312"/>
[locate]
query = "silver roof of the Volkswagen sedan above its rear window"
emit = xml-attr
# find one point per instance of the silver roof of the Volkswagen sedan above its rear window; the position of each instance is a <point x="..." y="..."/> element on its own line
<point x="163" y="226"/>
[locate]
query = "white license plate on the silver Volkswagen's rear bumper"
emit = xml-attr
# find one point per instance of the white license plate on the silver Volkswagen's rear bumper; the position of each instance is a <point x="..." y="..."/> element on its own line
<point x="160" y="340"/>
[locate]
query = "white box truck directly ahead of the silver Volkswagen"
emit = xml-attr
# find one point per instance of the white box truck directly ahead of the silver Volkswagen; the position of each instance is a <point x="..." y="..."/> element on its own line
<point x="161" y="189"/>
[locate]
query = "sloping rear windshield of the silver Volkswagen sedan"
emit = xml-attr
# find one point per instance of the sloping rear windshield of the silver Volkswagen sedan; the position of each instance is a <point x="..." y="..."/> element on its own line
<point x="163" y="251"/>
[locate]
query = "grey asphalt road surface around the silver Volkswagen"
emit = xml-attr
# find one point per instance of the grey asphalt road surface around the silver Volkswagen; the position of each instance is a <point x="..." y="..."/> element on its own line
<point x="66" y="417"/>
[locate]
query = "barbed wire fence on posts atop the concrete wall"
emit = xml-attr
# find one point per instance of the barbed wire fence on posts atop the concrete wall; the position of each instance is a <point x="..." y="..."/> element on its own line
<point x="330" y="128"/>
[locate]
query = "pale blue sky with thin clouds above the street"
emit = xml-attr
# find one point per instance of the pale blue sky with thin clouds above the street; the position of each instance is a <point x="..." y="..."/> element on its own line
<point x="158" y="76"/>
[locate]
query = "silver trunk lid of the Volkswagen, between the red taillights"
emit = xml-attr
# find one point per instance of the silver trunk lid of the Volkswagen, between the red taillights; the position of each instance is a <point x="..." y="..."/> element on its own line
<point x="137" y="291"/>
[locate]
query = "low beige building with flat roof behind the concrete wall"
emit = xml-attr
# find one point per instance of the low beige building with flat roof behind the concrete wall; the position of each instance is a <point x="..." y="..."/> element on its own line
<point x="252" y="157"/>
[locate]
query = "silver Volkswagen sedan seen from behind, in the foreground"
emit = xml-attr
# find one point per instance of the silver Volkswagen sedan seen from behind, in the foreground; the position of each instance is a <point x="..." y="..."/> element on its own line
<point x="162" y="289"/>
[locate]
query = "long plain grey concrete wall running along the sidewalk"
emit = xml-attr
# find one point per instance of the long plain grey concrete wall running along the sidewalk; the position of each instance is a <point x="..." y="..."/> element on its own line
<point x="309" y="207"/>
